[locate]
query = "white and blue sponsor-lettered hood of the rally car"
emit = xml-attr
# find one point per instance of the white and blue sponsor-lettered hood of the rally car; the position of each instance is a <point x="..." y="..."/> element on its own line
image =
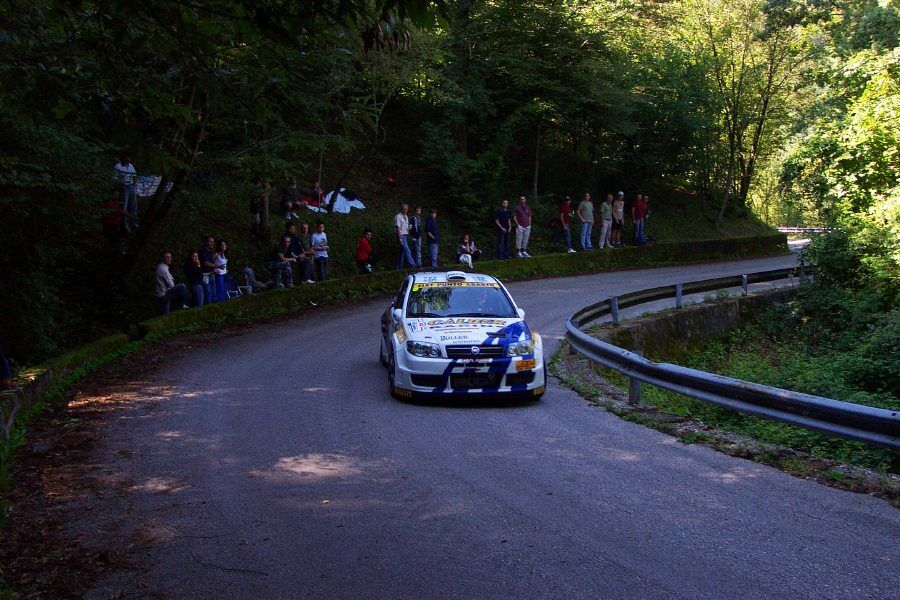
<point x="466" y="330"/>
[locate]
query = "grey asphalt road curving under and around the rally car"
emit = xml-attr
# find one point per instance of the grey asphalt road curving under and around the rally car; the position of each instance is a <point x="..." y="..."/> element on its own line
<point x="275" y="464"/>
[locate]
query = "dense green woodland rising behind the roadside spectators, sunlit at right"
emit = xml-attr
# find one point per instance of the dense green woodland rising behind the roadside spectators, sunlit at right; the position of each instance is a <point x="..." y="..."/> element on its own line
<point x="786" y="108"/>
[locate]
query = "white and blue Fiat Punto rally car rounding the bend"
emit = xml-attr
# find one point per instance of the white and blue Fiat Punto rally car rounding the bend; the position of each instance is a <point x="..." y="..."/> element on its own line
<point x="456" y="333"/>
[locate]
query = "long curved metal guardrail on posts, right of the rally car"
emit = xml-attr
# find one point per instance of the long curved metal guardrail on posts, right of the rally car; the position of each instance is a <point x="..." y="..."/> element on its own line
<point x="854" y="421"/>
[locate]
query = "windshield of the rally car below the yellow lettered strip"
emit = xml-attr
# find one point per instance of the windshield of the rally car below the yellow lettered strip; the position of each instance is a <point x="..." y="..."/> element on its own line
<point x="458" y="299"/>
